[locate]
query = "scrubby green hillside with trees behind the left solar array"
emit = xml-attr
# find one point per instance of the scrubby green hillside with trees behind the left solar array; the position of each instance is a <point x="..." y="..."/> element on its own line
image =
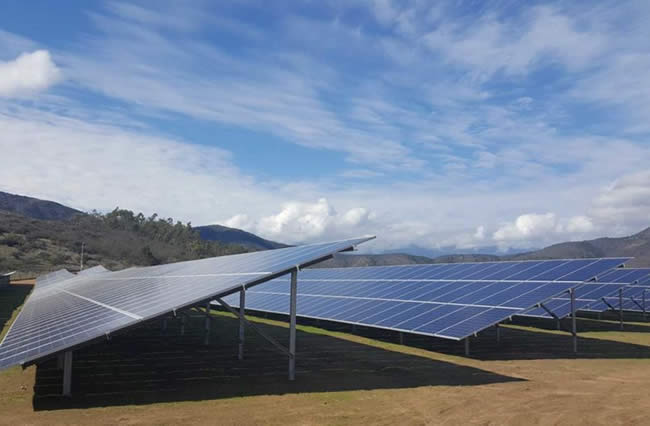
<point x="116" y="240"/>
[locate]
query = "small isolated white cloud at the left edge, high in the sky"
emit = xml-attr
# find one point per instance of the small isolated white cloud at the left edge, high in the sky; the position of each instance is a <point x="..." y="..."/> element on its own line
<point x="29" y="72"/>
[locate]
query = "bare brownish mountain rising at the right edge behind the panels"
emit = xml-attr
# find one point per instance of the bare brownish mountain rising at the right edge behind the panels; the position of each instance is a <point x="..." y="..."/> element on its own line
<point x="637" y="246"/>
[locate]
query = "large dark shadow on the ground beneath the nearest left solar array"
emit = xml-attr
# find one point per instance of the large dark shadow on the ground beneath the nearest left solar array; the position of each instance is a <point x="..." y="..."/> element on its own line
<point x="144" y="367"/>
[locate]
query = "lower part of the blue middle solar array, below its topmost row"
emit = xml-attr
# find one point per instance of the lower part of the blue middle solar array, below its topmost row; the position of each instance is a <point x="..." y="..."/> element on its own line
<point x="448" y="309"/>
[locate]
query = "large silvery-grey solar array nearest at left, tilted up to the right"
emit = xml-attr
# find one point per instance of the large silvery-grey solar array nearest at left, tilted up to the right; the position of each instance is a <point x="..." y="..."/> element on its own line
<point x="74" y="311"/>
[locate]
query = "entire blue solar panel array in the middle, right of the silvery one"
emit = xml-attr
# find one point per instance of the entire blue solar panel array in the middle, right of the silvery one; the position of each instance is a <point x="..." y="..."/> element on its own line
<point x="451" y="301"/>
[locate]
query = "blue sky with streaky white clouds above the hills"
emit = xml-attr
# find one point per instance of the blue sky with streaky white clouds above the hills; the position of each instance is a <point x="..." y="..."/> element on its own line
<point x="455" y="126"/>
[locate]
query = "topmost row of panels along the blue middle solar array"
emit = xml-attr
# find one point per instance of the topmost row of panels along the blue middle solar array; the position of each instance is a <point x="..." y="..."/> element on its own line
<point x="576" y="270"/>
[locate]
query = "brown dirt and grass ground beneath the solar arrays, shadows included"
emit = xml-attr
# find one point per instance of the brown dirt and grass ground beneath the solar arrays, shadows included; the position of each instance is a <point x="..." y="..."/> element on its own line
<point x="153" y="377"/>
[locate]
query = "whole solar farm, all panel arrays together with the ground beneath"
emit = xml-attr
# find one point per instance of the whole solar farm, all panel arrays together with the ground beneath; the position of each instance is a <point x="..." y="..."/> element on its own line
<point x="255" y="335"/>
